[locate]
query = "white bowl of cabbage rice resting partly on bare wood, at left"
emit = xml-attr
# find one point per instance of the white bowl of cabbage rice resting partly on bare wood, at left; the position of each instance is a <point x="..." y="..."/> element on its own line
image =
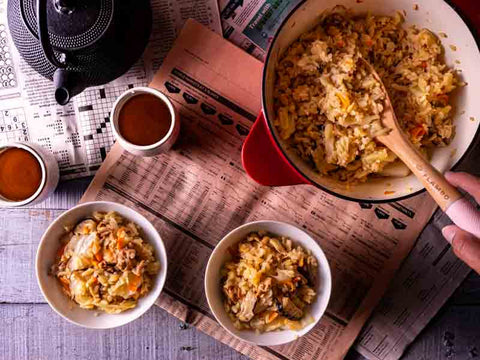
<point x="101" y="265"/>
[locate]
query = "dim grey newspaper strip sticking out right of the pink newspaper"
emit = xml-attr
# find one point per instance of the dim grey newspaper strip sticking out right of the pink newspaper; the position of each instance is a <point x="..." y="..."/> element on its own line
<point x="426" y="280"/>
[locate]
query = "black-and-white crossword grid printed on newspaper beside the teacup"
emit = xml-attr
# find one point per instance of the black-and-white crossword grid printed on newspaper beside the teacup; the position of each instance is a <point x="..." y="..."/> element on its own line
<point x="94" y="107"/>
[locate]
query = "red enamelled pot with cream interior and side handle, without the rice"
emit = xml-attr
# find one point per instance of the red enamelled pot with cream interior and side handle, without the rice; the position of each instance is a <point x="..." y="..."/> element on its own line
<point x="265" y="156"/>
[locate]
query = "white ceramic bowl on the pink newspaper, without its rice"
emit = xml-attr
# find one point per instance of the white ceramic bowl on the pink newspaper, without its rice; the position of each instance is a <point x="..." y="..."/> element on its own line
<point x="221" y="254"/>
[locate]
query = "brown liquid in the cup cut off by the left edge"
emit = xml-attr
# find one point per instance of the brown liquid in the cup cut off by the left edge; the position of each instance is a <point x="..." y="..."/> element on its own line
<point x="20" y="174"/>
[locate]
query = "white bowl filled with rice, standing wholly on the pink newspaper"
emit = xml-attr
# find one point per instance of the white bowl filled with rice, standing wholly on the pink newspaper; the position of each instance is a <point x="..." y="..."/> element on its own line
<point x="268" y="282"/>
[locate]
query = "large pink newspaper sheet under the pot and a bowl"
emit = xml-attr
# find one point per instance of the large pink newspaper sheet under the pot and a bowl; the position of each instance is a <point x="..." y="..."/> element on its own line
<point x="198" y="192"/>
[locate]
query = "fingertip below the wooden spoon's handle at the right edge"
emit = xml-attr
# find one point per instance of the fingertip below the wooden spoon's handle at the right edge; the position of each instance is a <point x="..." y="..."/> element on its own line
<point x="465" y="245"/>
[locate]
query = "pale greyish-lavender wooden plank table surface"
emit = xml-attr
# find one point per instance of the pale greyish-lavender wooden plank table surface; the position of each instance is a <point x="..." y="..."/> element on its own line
<point x="29" y="329"/>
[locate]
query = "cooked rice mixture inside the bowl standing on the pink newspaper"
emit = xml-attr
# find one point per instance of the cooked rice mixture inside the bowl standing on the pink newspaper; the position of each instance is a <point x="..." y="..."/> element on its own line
<point x="269" y="283"/>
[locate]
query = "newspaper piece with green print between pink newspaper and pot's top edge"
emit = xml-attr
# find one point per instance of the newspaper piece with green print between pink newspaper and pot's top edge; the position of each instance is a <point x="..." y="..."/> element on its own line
<point x="251" y="24"/>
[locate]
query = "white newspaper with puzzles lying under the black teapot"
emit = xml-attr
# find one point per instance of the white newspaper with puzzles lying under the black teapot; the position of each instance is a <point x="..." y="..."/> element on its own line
<point x="79" y="135"/>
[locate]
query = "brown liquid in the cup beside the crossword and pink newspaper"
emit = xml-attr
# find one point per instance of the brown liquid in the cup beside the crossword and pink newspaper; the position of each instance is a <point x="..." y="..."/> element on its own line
<point x="144" y="120"/>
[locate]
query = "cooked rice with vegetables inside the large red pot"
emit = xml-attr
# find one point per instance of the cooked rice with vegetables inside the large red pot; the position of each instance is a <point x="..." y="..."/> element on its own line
<point x="328" y="106"/>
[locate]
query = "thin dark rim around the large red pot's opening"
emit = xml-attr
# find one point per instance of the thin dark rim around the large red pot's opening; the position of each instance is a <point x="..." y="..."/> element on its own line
<point x="476" y="35"/>
